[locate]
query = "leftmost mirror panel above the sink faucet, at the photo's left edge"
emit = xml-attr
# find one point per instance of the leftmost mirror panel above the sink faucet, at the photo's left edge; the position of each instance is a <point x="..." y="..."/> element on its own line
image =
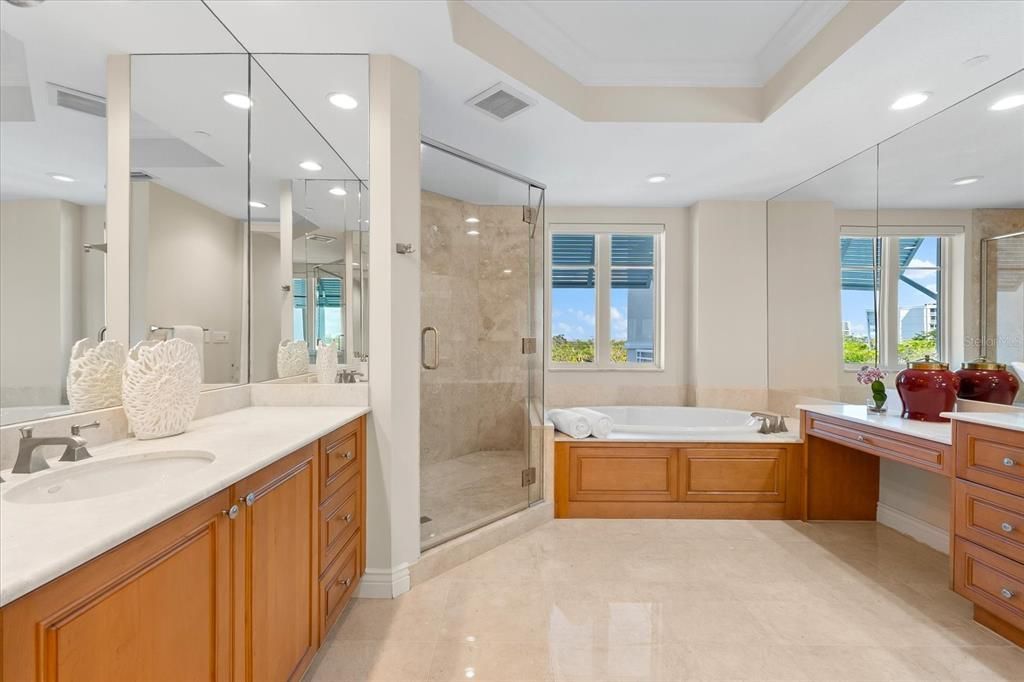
<point x="53" y="235"/>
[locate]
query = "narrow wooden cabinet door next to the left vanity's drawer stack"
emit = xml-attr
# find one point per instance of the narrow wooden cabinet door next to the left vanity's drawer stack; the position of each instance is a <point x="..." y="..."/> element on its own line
<point x="277" y="631"/>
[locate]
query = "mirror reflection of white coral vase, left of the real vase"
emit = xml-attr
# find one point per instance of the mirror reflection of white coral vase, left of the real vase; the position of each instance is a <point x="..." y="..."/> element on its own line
<point x="95" y="374"/>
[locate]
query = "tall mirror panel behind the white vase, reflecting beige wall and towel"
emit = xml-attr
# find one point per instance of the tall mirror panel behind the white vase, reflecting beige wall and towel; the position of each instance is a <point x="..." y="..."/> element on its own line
<point x="189" y="206"/>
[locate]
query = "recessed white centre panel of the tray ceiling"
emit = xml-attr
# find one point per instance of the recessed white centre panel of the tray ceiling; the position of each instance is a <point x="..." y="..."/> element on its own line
<point x="645" y="42"/>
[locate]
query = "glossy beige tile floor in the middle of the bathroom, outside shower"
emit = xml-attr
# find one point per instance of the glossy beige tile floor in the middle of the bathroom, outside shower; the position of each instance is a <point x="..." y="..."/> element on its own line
<point x="595" y="601"/>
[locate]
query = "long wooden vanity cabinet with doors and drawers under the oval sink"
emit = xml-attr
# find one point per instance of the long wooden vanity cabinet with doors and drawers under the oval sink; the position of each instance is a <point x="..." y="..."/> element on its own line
<point x="242" y="586"/>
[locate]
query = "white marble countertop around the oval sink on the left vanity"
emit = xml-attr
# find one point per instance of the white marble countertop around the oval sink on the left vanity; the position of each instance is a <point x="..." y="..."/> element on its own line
<point x="40" y="542"/>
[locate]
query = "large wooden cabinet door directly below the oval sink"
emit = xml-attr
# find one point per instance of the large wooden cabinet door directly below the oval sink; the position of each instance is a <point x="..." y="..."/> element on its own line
<point x="156" y="608"/>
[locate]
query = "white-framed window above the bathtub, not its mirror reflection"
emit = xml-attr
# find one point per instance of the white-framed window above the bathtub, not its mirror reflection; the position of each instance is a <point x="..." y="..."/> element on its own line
<point x="606" y="302"/>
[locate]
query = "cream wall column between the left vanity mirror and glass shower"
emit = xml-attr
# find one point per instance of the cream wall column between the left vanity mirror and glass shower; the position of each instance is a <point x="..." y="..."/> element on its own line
<point x="394" y="434"/>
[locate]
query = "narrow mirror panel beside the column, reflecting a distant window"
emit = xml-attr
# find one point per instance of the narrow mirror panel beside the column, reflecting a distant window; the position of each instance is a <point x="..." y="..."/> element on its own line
<point x="311" y="215"/>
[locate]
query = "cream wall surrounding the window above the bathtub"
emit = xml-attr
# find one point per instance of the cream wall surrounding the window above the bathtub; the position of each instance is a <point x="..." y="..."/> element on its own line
<point x="668" y="387"/>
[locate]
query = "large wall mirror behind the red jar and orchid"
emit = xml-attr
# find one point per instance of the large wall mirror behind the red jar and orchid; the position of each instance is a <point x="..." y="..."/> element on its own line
<point x="925" y="257"/>
